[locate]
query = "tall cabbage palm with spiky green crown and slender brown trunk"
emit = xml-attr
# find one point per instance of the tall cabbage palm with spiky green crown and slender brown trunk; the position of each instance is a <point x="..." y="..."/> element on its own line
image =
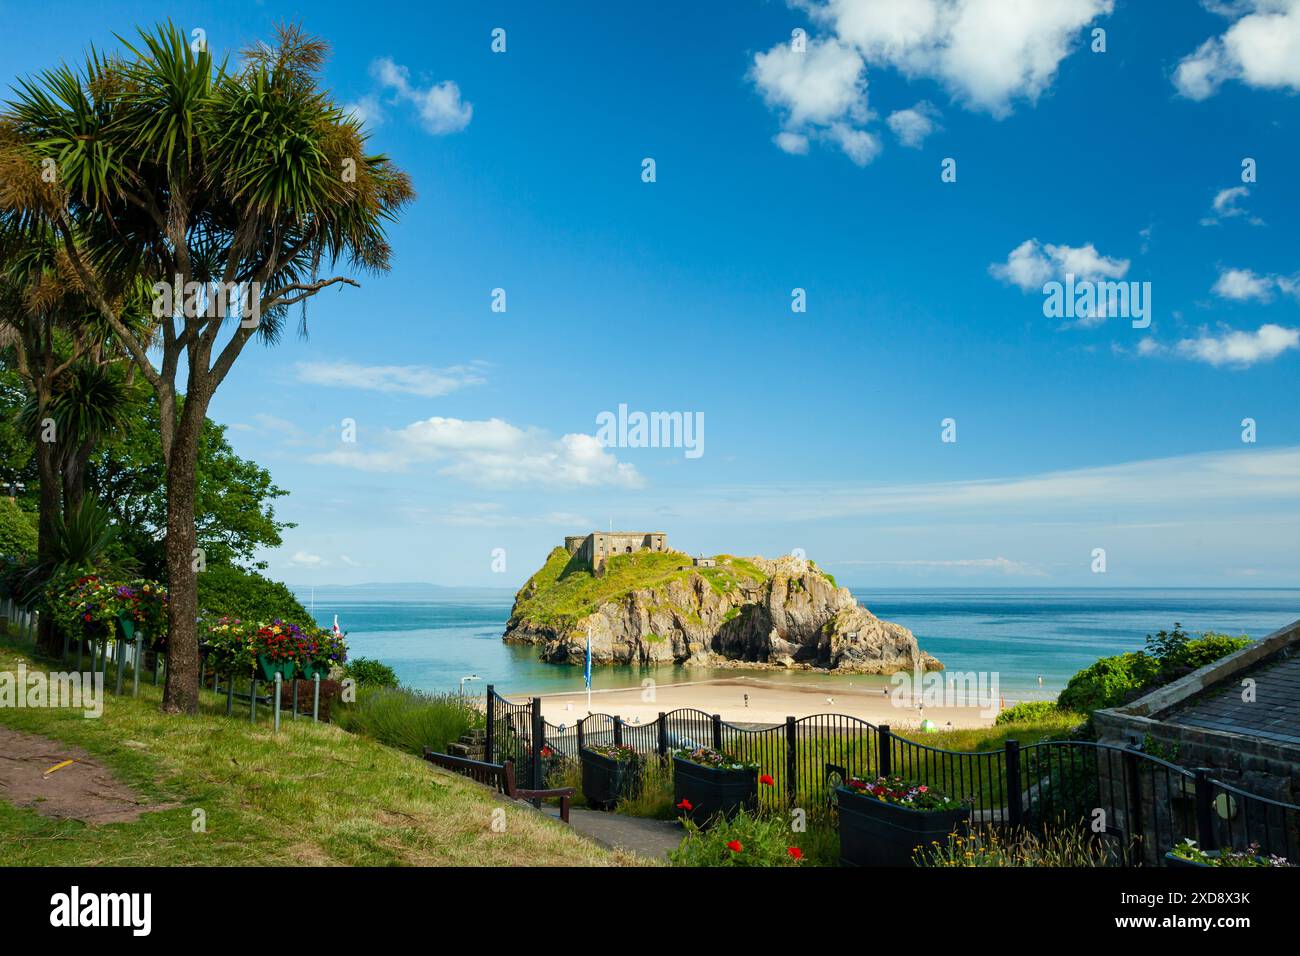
<point x="179" y="171"/>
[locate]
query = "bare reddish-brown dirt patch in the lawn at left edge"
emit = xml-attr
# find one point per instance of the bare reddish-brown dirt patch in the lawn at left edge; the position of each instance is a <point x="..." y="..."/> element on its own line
<point x="81" y="790"/>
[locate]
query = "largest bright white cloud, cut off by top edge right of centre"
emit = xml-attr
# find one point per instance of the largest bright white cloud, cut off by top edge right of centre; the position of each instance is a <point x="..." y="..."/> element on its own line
<point x="986" y="53"/>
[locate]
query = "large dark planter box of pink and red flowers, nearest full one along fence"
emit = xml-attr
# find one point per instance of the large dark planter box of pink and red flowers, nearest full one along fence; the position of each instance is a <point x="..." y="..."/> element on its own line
<point x="878" y="834"/>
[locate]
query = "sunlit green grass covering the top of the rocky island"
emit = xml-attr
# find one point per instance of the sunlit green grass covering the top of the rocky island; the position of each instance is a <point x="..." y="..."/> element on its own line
<point x="566" y="592"/>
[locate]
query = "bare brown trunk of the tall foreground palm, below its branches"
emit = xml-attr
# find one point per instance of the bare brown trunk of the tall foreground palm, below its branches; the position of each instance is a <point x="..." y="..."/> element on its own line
<point x="181" y="694"/>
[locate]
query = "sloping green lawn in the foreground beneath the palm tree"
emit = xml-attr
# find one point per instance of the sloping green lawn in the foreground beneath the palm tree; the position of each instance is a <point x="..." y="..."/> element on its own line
<point x="311" y="795"/>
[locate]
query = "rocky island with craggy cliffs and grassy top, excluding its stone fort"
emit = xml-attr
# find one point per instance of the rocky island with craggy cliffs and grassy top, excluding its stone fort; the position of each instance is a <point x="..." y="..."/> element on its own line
<point x="781" y="613"/>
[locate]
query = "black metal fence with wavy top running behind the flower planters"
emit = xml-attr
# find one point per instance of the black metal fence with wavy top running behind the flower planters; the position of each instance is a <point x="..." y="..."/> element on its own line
<point x="1137" y="803"/>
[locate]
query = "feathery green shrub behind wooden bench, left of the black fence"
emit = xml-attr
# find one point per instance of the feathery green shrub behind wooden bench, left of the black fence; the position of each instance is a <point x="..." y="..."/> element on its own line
<point x="409" y="720"/>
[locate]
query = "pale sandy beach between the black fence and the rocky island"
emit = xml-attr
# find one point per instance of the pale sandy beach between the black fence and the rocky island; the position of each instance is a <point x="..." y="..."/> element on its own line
<point x="768" y="703"/>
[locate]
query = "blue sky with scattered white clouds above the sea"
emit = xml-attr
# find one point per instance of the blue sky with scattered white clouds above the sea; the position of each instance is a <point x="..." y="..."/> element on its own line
<point x="781" y="170"/>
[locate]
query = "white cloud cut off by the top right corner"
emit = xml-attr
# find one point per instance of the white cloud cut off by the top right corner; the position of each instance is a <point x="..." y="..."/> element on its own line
<point x="1262" y="50"/>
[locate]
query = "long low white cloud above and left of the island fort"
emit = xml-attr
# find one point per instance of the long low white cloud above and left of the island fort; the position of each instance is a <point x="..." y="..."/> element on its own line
<point x="491" y="453"/>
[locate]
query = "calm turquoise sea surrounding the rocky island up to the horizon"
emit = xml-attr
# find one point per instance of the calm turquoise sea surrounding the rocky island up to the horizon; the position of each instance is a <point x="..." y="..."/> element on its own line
<point x="435" y="638"/>
